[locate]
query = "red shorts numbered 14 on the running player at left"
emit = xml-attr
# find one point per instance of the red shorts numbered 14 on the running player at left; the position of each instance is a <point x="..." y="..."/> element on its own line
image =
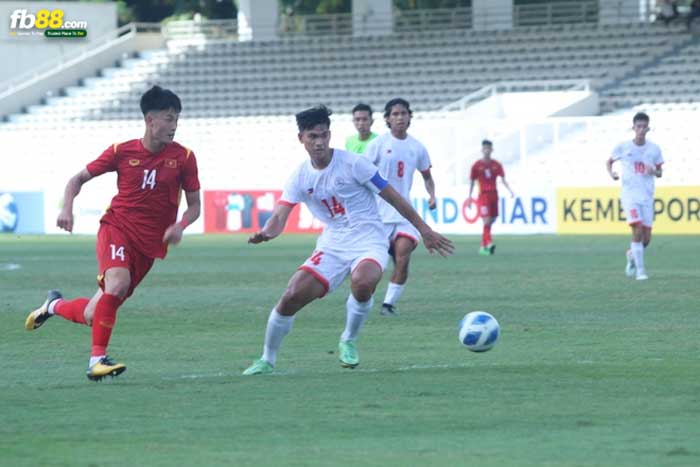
<point x="114" y="250"/>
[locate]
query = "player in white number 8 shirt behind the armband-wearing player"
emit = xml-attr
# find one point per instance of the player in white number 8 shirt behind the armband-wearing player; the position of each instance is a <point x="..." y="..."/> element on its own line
<point x="398" y="155"/>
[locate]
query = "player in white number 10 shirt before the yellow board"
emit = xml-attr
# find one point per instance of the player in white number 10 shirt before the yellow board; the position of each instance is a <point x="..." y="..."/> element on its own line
<point x="641" y="162"/>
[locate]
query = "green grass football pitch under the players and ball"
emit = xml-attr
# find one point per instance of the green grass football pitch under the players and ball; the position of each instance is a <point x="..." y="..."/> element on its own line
<point x="592" y="368"/>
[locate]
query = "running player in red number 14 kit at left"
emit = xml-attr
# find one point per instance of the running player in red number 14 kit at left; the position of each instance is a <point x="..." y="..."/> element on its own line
<point x="138" y="226"/>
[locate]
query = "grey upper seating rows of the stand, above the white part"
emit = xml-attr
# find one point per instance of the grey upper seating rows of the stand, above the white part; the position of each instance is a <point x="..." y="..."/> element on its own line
<point x="223" y="78"/>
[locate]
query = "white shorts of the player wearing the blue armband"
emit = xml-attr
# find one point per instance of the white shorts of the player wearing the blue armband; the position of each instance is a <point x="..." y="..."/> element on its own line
<point x="332" y="265"/>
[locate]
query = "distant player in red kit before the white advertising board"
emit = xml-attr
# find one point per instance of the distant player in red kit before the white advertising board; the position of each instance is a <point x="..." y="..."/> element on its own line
<point x="487" y="171"/>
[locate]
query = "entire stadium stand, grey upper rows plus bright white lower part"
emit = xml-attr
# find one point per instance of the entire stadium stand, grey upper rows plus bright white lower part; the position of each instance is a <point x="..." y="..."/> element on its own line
<point x="234" y="94"/>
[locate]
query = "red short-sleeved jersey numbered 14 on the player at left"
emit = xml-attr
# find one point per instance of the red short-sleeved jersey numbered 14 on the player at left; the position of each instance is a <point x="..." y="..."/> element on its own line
<point x="149" y="190"/>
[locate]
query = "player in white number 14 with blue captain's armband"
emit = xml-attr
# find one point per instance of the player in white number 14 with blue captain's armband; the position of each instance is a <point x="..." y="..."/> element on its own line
<point x="338" y="187"/>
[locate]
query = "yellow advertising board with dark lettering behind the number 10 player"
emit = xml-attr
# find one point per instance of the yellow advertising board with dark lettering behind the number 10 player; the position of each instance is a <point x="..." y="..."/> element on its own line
<point x="598" y="210"/>
